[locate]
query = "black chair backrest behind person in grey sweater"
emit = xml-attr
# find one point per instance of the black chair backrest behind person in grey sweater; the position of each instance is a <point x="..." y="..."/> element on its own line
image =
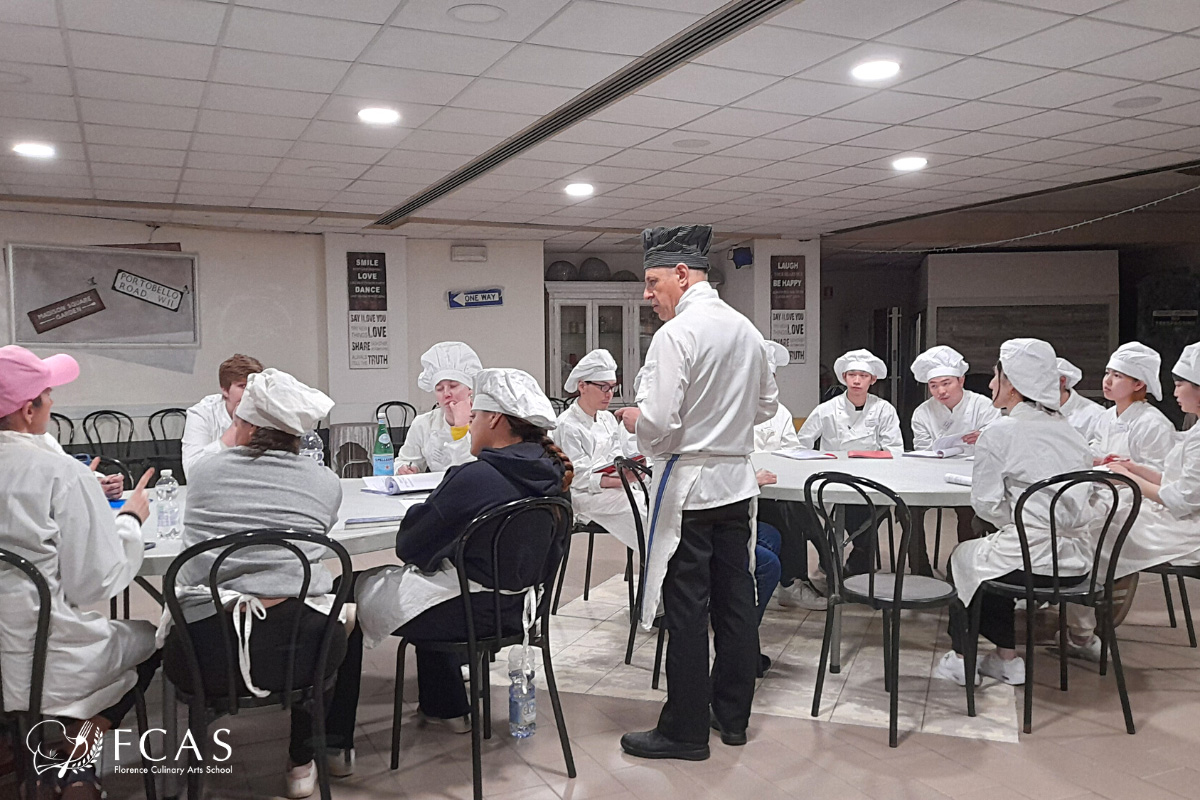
<point x="231" y="545"/>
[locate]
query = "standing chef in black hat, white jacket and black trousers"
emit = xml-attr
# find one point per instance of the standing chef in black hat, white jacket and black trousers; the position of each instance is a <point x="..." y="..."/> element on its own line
<point x="704" y="388"/>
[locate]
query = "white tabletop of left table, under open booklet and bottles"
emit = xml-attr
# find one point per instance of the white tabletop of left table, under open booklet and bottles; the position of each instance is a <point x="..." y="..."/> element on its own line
<point x="356" y="503"/>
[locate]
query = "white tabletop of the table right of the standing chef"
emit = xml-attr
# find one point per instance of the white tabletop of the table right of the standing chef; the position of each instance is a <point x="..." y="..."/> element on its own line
<point x="919" y="482"/>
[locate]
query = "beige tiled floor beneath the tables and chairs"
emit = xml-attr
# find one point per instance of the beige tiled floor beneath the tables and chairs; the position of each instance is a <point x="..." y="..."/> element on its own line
<point x="1078" y="749"/>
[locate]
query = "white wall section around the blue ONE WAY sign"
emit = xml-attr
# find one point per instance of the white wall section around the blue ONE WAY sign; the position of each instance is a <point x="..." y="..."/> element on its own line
<point x="513" y="335"/>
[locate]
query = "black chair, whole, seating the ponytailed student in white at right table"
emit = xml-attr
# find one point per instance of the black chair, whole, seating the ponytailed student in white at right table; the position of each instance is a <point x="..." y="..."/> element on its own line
<point x="1095" y="592"/>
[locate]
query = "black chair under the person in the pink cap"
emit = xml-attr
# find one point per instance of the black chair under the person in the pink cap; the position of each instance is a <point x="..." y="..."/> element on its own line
<point x="26" y="724"/>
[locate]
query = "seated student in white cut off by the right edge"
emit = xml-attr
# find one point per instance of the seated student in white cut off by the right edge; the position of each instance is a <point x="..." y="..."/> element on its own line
<point x="1168" y="526"/>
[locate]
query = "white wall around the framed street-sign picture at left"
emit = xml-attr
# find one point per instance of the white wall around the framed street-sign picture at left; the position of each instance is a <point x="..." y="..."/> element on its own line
<point x="261" y="294"/>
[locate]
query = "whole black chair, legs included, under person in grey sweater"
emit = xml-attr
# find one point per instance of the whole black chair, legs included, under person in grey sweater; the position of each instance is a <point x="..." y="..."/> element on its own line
<point x="305" y="690"/>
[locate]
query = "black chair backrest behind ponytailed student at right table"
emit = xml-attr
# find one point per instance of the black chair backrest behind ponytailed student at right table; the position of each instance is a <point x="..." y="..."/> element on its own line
<point x="1065" y="483"/>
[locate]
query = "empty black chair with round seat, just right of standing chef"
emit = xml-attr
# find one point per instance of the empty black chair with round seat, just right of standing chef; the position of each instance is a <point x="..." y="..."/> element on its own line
<point x="889" y="592"/>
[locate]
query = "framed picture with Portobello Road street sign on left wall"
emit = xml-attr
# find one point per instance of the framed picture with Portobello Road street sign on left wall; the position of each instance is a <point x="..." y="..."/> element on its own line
<point x="103" y="297"/>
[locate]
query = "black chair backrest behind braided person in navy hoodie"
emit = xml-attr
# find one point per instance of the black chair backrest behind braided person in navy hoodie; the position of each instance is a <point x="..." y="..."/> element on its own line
<point x="524" y="543"/>
